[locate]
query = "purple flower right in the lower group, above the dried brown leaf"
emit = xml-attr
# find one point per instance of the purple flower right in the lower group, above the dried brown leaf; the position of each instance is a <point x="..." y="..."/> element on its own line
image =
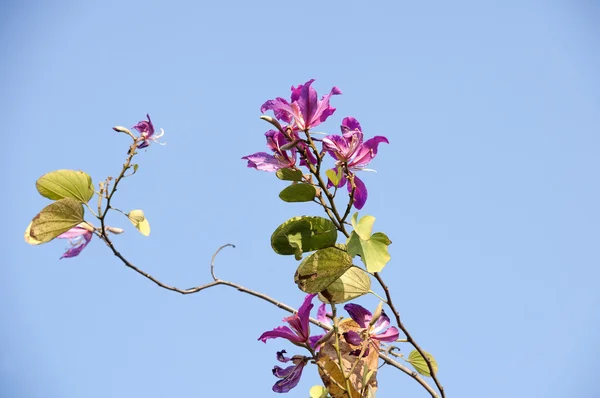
<point x="380" y="330"/>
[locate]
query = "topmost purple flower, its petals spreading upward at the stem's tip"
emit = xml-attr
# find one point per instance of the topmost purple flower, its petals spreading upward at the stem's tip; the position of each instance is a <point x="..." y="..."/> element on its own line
<point x="305" y="110"/>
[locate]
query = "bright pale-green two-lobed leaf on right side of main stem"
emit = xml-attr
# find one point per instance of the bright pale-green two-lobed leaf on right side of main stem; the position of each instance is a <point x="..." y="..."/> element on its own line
<point x="373" y="252"/>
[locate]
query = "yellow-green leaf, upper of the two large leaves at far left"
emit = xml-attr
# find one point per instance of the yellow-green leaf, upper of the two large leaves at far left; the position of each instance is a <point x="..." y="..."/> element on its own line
<point x="66" y="184"/>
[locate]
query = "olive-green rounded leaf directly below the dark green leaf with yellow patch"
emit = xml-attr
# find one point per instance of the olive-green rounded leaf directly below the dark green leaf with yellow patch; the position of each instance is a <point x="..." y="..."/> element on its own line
<point x="321" y="269"/>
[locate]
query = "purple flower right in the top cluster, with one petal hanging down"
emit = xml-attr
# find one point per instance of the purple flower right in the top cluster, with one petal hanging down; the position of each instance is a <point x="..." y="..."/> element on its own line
<point x="352" y="154"/>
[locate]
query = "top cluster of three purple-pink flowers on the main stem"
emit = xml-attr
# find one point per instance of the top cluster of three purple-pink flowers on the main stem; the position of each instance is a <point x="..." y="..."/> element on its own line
<point x="349" y="150"/>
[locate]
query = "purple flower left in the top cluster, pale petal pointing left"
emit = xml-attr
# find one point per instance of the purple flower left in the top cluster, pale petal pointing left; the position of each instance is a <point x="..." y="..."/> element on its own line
<point x="281" y="159"/>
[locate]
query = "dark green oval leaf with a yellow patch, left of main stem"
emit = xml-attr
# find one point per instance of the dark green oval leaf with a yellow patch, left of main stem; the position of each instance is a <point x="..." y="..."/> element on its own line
<point x="303" y="234"/>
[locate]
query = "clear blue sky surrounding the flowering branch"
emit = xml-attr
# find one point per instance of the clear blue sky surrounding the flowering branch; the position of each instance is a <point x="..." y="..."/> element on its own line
<point x="489" y="188"/>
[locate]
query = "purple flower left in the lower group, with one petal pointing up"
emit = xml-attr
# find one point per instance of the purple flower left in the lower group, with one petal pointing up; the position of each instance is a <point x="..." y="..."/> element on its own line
<point x="299" y="333"/>
